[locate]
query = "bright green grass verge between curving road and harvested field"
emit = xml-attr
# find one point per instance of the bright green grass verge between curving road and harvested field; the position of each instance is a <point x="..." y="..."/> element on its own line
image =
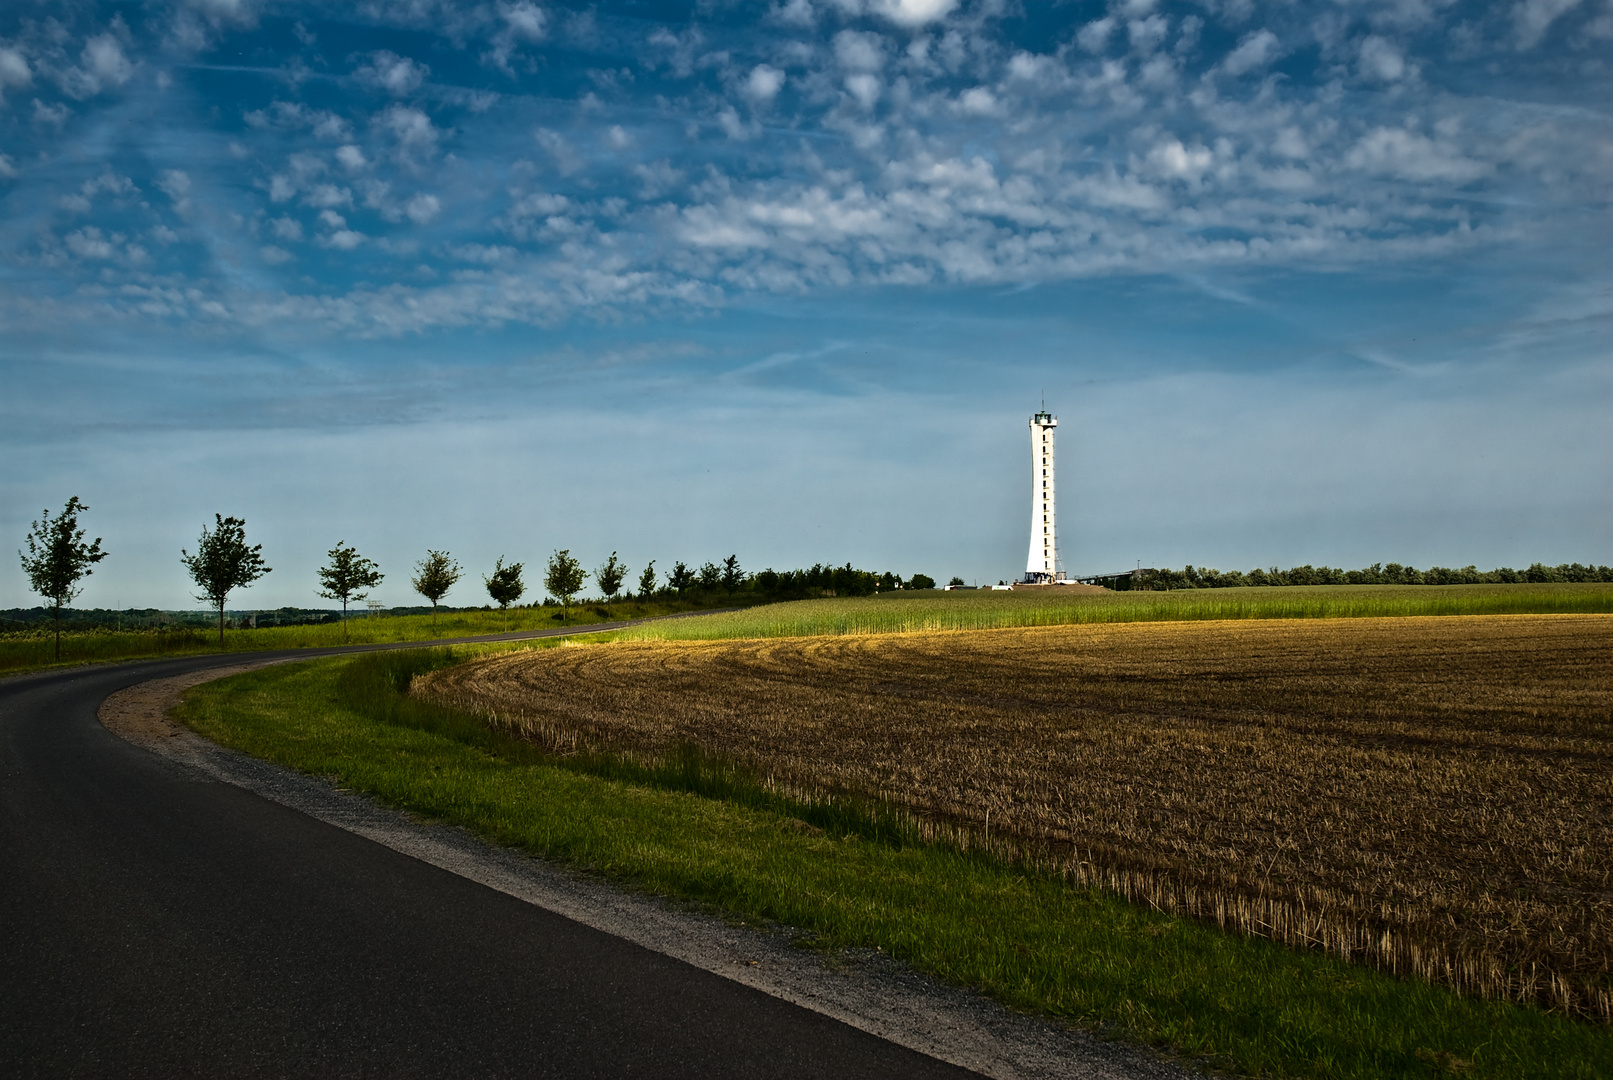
<point x="1028" y="939"/>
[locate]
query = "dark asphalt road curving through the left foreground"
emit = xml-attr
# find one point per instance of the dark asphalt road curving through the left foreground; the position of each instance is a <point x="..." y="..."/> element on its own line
<point x="154" y="924"/>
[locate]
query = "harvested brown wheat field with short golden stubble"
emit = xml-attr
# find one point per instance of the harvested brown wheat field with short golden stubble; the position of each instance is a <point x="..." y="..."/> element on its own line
<point x="1432" y="795"/>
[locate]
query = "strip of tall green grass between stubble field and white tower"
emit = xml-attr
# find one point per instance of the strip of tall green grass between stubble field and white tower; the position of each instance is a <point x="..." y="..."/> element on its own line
<point x="899" y="613"/>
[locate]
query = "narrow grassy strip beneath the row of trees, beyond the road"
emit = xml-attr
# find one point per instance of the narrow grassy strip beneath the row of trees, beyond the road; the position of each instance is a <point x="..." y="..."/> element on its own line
<point x="35" y="650"/>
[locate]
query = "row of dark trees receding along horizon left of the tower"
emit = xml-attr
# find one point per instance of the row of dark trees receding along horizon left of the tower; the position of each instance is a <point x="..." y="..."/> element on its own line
<point x="59" y="559"/>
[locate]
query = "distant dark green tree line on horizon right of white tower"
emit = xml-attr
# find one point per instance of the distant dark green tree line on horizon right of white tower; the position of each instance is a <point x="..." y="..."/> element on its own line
<point x="1375" y="575"/>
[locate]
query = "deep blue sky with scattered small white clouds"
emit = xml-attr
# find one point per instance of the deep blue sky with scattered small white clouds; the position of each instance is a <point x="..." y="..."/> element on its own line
<point x="1304" y="283"/>
